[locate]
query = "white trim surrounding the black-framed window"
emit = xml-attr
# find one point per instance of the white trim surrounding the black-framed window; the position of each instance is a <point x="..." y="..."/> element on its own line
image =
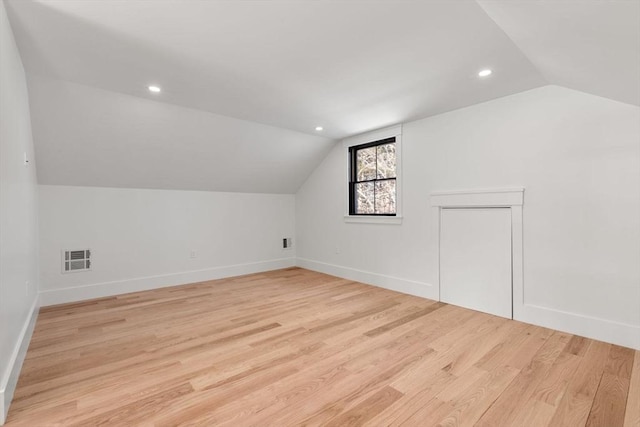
<point x="376" y="135"/>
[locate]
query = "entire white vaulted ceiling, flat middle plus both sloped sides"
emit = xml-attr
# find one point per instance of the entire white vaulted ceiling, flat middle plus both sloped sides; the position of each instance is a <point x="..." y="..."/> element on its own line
<point x="245" y="83"/>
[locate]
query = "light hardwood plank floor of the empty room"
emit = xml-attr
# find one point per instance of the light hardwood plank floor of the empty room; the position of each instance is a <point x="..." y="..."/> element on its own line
<point x="294" y="347"/>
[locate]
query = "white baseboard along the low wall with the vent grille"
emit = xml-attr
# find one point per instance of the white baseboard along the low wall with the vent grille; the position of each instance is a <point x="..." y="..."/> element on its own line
<point x="105" y="289"/>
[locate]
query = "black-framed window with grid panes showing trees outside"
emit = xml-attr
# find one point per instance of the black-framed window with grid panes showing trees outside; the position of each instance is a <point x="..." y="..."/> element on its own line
<point x="372" y="178"/>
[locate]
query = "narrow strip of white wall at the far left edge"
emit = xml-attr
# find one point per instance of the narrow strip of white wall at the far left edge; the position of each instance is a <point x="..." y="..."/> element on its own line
<point x="18" y="216"/>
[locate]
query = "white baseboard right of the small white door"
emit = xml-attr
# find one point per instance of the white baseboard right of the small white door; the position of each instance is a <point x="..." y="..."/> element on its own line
<point x="577" y="324"/>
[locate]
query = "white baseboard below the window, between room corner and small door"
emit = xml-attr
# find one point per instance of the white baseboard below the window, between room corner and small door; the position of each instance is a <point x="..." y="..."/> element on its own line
<point x="411" y="287"/>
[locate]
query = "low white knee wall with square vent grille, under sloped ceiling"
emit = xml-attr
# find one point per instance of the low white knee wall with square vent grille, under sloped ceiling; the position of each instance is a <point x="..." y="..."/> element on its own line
<point x="142" y="239"/>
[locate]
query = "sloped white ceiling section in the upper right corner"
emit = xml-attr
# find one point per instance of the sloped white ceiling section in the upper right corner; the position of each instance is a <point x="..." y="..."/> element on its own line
<point x="587" y="45"/>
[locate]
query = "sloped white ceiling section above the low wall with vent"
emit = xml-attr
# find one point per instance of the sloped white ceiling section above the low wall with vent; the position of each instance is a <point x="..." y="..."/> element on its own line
<point x="92" y="137"/>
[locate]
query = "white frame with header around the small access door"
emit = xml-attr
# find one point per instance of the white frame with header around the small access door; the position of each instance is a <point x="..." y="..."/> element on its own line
<point x="512" y="198"/>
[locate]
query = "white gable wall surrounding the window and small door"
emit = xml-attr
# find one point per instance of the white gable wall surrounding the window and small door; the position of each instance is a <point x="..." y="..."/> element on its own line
<point x="578" y="157"/>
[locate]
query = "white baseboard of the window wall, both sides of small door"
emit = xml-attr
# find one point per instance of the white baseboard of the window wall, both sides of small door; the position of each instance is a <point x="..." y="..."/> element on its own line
<point x="577" y="324"/>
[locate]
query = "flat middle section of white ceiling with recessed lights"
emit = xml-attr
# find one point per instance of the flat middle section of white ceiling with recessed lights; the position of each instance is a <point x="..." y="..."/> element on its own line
<point x="349" y="66"/>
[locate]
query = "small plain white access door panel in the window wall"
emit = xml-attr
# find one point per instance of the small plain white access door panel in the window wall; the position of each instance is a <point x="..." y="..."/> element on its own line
<point x="475" y="259"/>
